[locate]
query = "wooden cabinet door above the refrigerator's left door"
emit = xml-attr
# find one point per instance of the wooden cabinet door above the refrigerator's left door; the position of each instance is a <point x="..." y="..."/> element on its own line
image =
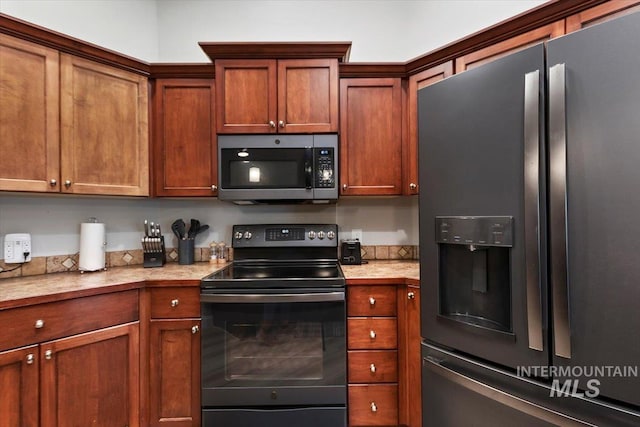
<point x="511" y="45"/>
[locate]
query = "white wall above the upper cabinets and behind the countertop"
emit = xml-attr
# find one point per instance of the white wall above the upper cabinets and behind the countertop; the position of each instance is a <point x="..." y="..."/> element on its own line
<point x="168" y="31"/>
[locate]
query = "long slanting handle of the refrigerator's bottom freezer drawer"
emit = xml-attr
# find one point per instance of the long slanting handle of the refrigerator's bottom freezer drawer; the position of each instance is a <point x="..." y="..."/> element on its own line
<point x="501" y="396"/>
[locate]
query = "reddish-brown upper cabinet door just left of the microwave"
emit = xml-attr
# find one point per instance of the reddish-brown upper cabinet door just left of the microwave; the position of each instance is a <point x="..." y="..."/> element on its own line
<point x="185" y="148"/>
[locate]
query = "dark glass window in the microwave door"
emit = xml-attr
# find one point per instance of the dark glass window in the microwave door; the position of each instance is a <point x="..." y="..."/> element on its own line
<point x="265" y="168"/>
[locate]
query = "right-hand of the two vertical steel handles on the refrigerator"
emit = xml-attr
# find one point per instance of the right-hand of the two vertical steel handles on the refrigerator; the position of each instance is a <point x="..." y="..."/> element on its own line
<point x="558" y="211"/>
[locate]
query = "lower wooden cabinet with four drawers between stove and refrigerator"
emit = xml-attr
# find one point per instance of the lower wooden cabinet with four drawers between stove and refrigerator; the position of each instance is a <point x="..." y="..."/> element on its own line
<point x="383" y="340"/>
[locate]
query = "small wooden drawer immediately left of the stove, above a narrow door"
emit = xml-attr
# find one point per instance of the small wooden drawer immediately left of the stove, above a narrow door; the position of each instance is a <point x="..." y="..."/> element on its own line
<point x="174" y="303"/>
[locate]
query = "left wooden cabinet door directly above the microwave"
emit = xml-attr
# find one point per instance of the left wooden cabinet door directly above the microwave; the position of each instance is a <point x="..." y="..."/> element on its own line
<point x="246" y="92"/>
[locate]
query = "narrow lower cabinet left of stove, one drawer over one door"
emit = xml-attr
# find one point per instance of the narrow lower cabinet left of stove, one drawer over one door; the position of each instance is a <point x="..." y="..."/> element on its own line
<point x="174" y="357"/>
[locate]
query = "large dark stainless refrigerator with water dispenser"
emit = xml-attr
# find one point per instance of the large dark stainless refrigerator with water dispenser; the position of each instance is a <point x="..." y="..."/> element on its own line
<point x="530" y="236"/>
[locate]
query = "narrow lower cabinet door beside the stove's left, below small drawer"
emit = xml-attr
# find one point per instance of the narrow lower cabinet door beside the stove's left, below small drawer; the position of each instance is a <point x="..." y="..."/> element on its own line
<point x="174" y="380"/>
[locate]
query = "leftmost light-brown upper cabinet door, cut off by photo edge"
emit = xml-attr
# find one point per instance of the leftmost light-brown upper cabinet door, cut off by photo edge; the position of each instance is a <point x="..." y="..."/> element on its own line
<point x="29" y="116"/>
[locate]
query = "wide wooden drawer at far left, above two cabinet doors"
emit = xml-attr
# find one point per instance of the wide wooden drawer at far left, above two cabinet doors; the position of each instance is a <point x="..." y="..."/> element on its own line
<point x="43" y="322"/>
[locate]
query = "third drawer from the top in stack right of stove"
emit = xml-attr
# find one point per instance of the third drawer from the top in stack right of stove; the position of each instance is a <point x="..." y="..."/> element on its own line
<point x="373" y="366"/>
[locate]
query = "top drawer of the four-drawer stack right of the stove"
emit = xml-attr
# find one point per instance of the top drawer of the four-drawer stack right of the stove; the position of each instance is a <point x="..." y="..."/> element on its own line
<point x="371" y="300"/>
